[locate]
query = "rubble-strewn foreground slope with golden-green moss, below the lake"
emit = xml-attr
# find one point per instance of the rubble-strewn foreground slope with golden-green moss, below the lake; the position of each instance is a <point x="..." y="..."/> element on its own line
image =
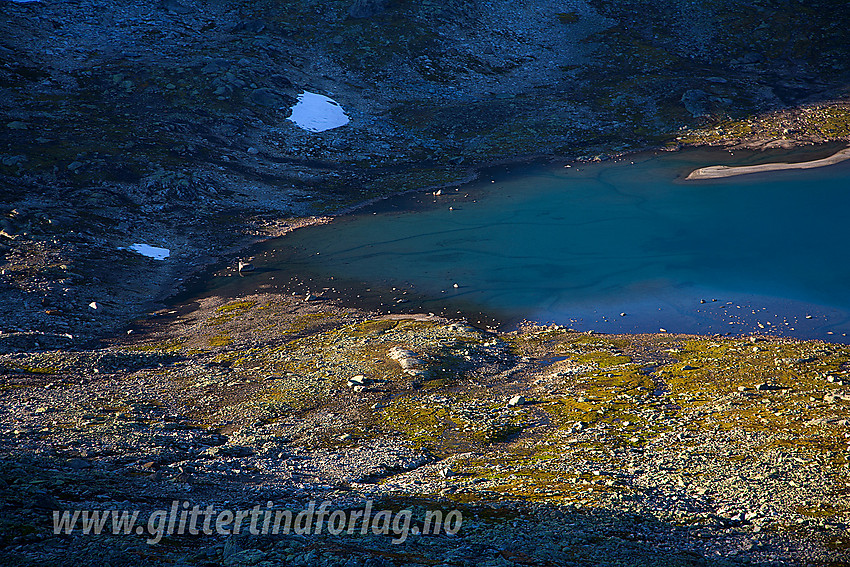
<point x="559" y="447"/>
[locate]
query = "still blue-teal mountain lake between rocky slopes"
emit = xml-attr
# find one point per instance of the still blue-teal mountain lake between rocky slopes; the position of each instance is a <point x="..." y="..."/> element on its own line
<point x="581" y="245"/>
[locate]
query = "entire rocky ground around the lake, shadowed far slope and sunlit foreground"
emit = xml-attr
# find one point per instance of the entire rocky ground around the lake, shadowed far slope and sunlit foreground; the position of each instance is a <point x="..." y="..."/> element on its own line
<point x="165" y="123"/>
